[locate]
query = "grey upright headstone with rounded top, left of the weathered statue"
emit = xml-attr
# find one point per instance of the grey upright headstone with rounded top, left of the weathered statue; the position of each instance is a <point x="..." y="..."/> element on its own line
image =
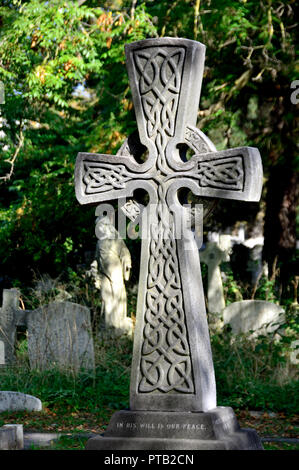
<point x="59" y="335"/>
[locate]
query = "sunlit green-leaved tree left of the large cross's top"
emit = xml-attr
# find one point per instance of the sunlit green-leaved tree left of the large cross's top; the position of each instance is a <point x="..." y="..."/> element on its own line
<point x="51" y="50"/>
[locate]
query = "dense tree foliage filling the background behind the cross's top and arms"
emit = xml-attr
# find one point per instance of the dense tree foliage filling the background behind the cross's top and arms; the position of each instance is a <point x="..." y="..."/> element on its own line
<point x="49" y="49"/>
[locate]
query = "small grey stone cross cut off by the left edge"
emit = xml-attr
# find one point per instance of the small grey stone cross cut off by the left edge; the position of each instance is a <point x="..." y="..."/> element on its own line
<point x="10" y="304"/>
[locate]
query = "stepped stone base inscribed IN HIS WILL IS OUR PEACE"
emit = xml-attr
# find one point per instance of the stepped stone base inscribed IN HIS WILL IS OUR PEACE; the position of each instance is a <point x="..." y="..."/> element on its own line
<point x="134" y="430"/>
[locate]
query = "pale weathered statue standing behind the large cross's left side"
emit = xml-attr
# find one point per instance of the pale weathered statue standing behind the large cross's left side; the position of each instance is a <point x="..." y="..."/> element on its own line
<point x="110" y="269"/>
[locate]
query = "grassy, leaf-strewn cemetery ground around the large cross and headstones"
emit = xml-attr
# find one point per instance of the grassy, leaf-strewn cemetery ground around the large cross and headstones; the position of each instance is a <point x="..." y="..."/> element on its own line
<point x="254" y="377"/>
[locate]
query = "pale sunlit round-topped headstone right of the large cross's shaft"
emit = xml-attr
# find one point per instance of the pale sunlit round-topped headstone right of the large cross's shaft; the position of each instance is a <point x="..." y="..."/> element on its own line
<point x="258" y="316"/>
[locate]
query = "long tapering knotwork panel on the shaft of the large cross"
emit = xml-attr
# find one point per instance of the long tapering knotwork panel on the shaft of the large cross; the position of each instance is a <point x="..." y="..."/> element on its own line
<point x="165" y="358"/>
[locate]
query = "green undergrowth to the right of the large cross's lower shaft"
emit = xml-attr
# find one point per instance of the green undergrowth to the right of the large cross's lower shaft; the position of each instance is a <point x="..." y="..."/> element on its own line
<point x="265" y="379"/>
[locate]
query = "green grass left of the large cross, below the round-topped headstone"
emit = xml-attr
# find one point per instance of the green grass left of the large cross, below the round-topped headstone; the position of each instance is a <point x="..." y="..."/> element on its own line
<point x="106" y="388"/>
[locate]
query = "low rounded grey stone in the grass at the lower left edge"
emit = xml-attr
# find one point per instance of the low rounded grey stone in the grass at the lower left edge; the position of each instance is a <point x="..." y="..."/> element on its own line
<point x="17" y="401"/>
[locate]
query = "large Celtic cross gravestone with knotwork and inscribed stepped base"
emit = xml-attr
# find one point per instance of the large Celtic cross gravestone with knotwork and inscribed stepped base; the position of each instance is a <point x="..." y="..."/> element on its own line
<point x="173" y="390"/>
